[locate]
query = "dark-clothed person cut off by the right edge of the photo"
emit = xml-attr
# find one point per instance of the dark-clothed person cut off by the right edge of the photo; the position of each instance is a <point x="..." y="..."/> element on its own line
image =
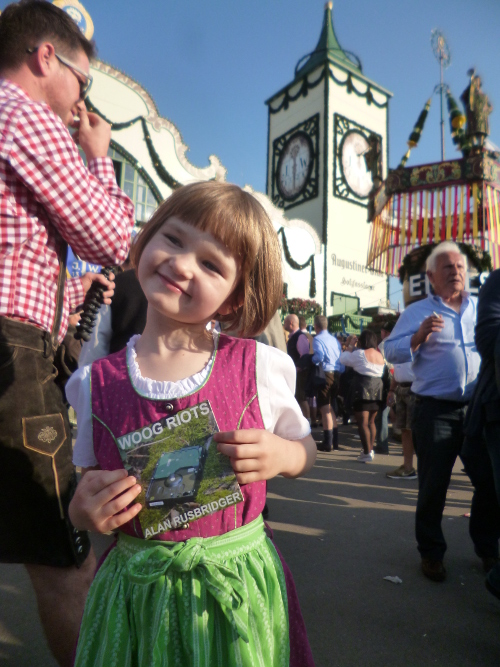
<point x="481" y="449"/>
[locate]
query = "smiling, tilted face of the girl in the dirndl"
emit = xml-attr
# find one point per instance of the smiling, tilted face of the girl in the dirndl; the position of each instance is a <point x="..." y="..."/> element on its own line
<point x="186" y="274"/>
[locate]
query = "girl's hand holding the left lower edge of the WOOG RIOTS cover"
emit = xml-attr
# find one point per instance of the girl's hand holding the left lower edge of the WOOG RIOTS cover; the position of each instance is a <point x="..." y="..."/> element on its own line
<point x="100" y="498"/>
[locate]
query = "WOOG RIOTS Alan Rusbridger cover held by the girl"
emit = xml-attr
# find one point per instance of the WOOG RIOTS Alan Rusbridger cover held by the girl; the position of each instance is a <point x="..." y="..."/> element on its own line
<point x="182" y="475"/>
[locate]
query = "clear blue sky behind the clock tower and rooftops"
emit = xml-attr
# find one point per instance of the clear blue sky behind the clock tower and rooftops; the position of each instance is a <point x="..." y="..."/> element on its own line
<point x="210" y="66"/>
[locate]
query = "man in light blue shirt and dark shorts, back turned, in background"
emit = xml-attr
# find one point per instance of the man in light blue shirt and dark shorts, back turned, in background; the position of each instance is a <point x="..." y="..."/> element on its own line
<point x="327" y="351"/>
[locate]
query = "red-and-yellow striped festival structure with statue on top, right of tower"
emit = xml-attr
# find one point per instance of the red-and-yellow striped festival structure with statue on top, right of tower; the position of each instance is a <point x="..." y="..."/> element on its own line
<point x="458" y="200"/>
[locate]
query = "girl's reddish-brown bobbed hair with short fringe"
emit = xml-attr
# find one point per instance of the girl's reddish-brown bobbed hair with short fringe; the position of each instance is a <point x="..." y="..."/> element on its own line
<point x="239" y="222"/>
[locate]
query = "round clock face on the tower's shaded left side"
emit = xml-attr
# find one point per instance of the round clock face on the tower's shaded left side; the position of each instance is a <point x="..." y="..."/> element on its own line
<point x="295" y="165"/>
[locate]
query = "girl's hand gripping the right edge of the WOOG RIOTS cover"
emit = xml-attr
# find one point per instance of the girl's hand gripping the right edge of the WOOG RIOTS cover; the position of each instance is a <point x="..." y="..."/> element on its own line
<point x="257" y="454"/>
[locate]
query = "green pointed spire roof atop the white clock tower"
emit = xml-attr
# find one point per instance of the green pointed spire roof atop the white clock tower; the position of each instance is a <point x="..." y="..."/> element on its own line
<point x="327" y="49"/>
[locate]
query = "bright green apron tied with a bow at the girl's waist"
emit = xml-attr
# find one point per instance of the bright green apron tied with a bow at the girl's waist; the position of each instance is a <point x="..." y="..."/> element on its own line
<point x="202" y="603"/>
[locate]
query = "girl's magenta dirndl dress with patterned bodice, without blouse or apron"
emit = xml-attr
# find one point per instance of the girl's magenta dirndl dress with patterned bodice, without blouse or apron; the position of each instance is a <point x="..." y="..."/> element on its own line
<point x="231" y="388"/>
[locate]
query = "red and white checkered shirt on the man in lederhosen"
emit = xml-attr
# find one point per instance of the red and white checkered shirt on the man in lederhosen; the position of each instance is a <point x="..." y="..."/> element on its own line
<point x="46" y="192"/>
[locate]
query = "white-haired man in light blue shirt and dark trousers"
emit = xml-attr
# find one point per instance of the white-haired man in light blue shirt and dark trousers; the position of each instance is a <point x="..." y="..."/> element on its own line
<point x="437" y="334"/>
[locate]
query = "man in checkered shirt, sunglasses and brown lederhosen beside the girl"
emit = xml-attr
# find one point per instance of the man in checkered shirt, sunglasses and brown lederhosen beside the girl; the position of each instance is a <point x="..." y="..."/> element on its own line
<point x="47" y="198"/>
